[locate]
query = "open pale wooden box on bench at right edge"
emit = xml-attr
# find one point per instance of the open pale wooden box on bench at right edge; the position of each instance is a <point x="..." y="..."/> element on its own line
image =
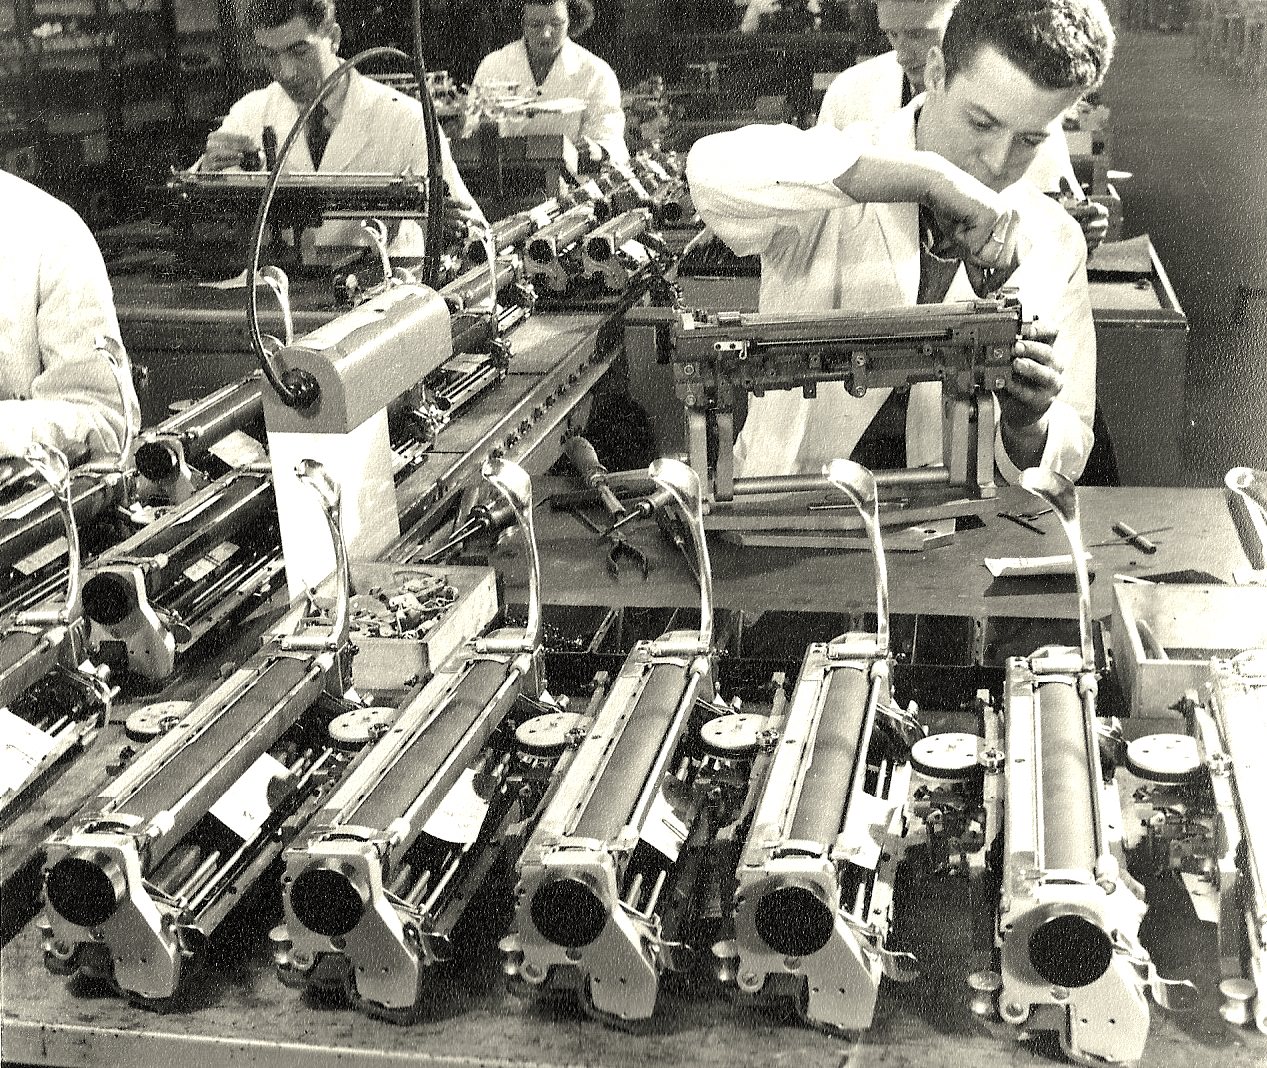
<point x="1164" y="638"/>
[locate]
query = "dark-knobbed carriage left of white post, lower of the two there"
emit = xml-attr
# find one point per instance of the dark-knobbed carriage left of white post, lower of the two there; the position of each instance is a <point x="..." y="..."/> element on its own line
<point x="156" y="595"/>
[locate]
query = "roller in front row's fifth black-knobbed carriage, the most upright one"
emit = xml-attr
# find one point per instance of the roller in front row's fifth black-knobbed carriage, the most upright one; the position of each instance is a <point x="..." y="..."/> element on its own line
<point x="1069" y="806"/>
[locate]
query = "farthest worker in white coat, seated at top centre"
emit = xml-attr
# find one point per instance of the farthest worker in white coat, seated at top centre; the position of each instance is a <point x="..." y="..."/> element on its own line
<point x="549" y="63"/>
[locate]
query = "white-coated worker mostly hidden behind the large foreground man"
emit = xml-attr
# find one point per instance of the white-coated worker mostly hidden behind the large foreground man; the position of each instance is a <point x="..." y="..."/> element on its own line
<point x="877" y="88"/>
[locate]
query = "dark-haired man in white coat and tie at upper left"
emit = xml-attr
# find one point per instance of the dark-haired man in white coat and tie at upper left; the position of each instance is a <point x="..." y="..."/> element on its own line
<point x="362" y="126"/>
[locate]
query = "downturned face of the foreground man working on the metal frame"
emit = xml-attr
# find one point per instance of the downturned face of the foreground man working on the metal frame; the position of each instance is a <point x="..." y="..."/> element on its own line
<point x="993" y="118"/>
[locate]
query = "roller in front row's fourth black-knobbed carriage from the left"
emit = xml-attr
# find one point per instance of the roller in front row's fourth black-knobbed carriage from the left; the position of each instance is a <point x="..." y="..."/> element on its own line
<point x="825" y="792"/>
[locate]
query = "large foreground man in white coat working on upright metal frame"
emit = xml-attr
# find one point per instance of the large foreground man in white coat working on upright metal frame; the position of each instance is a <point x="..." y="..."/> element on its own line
<point x="837" y="220"/>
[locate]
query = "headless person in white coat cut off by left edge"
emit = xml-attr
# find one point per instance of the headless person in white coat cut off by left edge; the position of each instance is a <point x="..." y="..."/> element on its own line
<point x="56" y="388"/>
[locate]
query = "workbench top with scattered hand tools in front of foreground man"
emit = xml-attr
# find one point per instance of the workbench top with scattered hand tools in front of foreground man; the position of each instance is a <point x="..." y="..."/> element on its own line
<point x="1193" y="533"/>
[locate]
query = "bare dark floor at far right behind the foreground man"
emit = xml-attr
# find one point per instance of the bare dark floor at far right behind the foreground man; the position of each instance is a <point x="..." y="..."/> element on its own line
<point x="1197" y="143"/>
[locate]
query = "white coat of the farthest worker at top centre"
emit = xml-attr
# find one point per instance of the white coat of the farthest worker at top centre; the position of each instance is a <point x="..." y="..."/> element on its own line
<point x="577" y="74"/>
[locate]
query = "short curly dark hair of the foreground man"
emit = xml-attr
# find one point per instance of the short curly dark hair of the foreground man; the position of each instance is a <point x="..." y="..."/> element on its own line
<point x="1059" y="44"/>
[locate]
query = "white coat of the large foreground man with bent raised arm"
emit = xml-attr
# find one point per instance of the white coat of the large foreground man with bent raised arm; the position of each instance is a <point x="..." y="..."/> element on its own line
<point x="768" y="191"/>
